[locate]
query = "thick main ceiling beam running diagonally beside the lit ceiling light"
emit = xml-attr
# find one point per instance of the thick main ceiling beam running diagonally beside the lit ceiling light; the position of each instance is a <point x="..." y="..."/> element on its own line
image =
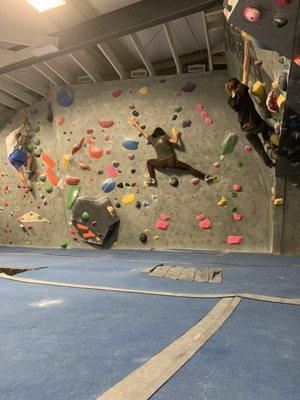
<point x="124" y="21"/>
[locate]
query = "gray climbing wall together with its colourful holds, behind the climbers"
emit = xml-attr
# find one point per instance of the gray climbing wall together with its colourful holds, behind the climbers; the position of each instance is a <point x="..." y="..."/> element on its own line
<point x="92" y="153"/>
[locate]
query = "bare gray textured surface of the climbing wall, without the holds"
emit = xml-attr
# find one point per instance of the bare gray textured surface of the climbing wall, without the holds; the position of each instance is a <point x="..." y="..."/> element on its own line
<point x="200" y="147"/>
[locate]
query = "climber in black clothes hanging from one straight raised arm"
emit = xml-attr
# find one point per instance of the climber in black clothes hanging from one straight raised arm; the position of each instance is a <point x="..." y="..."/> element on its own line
<point x="251" y="122"/>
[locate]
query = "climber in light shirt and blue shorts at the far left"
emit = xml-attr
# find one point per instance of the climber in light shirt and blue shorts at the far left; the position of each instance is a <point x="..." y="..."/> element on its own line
<point x="17" y="157"/>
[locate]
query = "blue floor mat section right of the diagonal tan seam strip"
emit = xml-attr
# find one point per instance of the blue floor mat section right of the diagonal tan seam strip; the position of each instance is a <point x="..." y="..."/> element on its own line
<point x="254" y="356"/>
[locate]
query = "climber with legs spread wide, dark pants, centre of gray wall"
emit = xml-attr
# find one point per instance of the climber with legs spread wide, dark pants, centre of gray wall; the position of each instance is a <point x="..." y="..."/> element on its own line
<point x="166" y="156"/>
